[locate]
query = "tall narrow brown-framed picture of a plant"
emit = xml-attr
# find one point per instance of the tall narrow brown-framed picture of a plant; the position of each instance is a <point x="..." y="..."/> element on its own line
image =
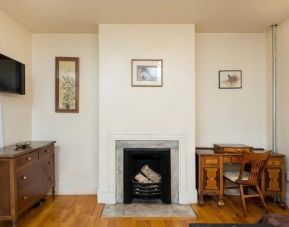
<point x="67" y="84"/>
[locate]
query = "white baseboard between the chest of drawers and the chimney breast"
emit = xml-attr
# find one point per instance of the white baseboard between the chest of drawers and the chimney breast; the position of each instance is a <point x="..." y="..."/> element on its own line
<point x="76" y="188"/>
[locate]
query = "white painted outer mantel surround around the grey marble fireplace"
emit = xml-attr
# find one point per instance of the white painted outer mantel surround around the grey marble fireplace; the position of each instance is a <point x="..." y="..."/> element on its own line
<point x="107" y="187"/>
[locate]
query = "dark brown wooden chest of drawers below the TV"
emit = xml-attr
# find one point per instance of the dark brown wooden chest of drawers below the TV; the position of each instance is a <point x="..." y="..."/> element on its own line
<point x="26" y="175"/>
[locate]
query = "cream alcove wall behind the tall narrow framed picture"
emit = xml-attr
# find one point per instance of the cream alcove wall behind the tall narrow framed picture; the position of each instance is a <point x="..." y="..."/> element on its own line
<point x="75" y="134"/>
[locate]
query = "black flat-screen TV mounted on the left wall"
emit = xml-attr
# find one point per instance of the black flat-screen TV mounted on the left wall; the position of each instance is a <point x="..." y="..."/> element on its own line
<point x="12" y="75"/>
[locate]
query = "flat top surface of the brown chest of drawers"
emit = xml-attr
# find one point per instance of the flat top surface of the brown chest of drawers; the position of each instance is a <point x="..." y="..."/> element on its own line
<point x="11" y="151"/>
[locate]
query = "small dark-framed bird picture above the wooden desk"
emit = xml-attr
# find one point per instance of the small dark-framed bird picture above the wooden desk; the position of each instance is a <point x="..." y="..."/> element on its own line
<point x="230" y="79"/>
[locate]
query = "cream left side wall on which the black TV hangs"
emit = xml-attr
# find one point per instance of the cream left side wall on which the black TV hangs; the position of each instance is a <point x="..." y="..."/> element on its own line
<point x="15" y="42"/>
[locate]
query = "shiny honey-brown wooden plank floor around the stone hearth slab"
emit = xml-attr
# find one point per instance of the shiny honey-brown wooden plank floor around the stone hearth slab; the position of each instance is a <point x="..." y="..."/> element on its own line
<point x="79" y="211"/>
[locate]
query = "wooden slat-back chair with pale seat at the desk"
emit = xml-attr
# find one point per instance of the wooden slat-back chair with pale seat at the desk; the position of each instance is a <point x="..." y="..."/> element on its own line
<point x="250" y="177"/>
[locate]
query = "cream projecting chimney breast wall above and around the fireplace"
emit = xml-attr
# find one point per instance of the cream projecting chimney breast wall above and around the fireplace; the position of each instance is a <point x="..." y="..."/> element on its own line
<point x="145" y="110"/>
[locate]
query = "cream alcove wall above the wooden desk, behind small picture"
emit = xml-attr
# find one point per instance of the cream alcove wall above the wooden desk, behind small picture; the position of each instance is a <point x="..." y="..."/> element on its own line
<point x="231" y="115"/>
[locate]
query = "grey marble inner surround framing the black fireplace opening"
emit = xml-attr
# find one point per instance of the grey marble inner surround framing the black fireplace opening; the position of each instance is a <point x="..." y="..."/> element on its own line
<point x="172" y="144"/>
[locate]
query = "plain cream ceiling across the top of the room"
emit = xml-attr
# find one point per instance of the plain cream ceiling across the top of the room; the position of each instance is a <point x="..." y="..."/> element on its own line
<point x="83" y="16"/>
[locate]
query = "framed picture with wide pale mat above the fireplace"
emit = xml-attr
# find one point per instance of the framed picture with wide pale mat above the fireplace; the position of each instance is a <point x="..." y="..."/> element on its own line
<point x="146" y="72"/>
